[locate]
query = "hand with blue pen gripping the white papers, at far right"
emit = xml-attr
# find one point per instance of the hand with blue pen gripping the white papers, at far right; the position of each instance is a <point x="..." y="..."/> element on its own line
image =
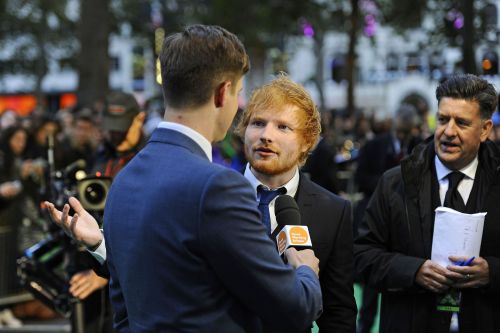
<point x="476" y="275"/>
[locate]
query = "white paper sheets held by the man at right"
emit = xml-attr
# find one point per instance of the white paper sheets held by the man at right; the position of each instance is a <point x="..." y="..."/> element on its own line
<point x="456" y="234"/>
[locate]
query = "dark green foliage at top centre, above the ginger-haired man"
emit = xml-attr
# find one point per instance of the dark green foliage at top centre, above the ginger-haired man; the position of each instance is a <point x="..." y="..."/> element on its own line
<point x="268" y="24"/>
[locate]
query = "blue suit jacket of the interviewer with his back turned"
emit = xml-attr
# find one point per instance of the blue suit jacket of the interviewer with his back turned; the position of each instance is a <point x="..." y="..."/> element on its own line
<point x="187" y="251"/>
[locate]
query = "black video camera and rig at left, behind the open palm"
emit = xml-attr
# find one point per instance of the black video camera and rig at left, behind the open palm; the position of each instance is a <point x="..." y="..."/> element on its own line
<point x="45" y="268"/>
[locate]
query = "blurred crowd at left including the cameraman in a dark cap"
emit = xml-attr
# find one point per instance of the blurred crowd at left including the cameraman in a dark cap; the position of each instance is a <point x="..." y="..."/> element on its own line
<point x="39" y="157"/>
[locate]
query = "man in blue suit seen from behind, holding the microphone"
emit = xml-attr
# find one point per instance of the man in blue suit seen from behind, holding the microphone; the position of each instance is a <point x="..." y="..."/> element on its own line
<point x="186" y="248"/>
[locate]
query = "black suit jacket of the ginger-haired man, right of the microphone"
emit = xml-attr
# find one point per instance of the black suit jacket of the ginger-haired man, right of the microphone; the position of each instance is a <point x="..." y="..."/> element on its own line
<point x="329" y="220"/>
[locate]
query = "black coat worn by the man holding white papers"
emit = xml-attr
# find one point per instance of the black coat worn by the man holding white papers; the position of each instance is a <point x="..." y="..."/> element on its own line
<point x="396" y="236"/>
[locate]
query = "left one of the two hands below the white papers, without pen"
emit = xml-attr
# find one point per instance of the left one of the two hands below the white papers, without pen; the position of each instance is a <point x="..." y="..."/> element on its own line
<point x="435" y="278"/>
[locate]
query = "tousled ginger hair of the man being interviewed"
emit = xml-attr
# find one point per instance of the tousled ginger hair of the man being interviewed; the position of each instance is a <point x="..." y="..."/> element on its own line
<point x="278" y="93"/>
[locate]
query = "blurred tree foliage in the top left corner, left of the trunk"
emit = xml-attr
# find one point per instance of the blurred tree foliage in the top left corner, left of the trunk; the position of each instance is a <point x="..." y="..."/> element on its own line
<point x="34" y="34"/>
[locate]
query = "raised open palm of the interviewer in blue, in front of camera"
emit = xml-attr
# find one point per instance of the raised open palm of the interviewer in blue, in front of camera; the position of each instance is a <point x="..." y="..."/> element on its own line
<point x="82" y="226"/>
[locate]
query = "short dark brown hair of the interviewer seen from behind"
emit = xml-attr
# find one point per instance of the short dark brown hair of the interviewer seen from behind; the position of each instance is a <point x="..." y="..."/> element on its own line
<point x="195" y="61"/>
